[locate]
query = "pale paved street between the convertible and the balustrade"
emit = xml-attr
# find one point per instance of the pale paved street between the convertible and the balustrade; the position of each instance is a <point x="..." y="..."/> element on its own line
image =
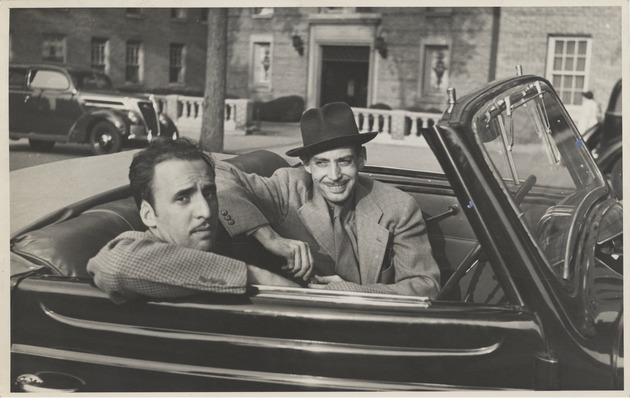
<point x="275" y="137"/>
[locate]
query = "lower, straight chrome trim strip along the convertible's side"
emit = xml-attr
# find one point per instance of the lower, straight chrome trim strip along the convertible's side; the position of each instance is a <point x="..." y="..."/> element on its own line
<point x="231" y="374"/>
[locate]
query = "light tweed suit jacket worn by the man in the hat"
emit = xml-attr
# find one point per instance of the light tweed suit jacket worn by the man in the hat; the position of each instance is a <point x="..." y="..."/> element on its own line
<point x="393" y="249"/>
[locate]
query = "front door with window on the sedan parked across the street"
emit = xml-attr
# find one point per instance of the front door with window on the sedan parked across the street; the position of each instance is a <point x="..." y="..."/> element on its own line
<point x="52" y="102"/>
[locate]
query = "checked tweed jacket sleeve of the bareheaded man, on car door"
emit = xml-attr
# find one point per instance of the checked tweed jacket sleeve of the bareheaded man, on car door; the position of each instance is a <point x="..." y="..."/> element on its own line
<point x="140" y="264"/>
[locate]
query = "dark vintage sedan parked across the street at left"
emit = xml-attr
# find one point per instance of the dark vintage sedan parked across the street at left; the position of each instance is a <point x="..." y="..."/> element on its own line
<point x="51" y="103"/>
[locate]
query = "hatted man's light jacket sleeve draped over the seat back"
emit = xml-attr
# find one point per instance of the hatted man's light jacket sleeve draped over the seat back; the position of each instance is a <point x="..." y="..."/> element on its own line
<point x="250" y="200"/>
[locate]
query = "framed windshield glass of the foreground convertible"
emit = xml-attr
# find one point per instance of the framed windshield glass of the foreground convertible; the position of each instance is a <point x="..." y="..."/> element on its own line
<point x="542" y="162"/>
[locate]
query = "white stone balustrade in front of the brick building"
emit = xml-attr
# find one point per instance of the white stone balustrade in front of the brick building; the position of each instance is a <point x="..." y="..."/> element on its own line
<point x="394" y="126"/>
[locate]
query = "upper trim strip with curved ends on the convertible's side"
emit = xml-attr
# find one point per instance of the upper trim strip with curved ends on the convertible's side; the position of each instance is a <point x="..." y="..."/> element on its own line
<point x="320" y="347"/>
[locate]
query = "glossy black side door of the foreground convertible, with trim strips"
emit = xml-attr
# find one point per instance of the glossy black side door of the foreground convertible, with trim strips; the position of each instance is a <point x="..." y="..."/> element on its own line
<point x="270" y="339"/>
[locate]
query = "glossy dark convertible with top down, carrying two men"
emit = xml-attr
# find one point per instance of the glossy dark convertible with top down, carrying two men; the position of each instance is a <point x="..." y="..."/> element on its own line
<point x="526" y="231"/>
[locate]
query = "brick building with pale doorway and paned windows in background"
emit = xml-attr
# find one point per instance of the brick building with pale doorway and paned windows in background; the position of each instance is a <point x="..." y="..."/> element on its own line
<point x="401" y="57"/>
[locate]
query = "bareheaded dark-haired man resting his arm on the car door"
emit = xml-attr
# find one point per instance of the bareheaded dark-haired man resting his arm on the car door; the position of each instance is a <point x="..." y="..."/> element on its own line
<point x="173" y="185"/>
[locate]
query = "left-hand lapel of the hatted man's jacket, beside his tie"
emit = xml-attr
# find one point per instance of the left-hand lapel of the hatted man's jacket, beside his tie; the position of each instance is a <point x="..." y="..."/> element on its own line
<point x="315" y="216"/>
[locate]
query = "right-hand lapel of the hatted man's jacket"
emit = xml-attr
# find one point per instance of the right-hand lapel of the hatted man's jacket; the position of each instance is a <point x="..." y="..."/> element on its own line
<point x="371" y="236"/>
